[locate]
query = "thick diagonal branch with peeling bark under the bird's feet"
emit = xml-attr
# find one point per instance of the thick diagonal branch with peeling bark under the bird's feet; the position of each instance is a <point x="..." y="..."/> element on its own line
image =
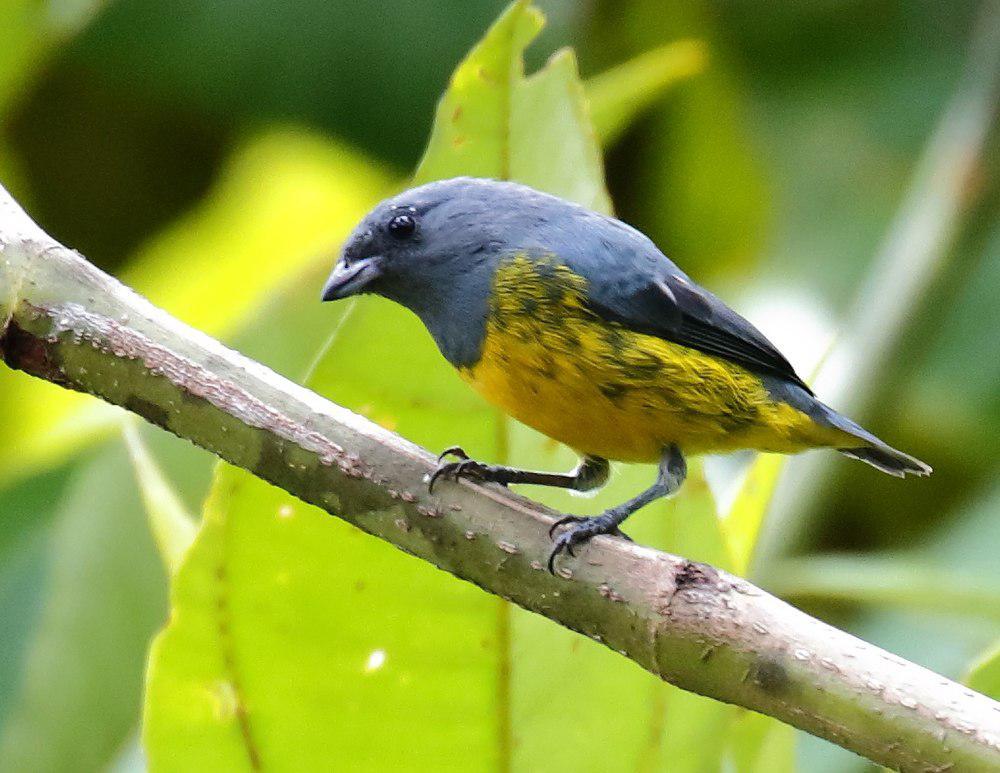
<point x="699" y="628"/>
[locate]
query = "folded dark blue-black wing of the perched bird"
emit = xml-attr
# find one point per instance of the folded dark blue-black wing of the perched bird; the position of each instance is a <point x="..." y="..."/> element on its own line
<point x="660" y="300"/>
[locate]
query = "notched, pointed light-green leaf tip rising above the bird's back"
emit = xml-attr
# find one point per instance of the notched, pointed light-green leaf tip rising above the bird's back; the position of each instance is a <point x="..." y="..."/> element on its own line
<point x="495" y="122"/>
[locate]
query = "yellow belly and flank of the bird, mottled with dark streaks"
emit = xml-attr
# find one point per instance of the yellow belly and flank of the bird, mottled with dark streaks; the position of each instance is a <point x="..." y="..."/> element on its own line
<point x="607" y="391"/>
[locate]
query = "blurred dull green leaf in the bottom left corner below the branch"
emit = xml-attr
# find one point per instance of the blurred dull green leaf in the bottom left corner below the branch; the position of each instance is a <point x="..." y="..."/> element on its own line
<point x="103" y="590"/>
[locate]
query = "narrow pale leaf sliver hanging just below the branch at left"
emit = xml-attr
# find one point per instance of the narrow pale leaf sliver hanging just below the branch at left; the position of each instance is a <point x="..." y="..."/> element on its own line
<point x="172" y="526"/>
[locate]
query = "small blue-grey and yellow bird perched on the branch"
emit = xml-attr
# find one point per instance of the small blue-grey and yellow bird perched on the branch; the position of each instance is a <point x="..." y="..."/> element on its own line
<point x="575" y="324"/>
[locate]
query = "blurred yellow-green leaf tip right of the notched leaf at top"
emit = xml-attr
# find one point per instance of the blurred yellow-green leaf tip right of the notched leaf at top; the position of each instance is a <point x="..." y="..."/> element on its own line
<point x="620" y="94"/>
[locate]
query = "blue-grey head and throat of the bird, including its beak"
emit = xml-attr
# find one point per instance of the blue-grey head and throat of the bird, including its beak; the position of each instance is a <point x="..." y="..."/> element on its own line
<point x="434" y="248"/>
